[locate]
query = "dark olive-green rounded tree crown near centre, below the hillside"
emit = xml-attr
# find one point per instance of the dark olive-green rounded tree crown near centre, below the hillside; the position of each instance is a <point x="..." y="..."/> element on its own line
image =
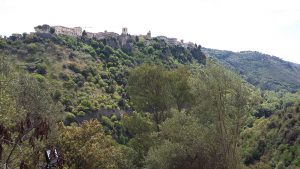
<point x="149" y="91"/>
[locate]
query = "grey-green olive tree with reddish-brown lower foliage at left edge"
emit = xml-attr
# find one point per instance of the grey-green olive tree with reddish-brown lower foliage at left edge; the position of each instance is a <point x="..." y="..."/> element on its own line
<point x="27" y="114"/>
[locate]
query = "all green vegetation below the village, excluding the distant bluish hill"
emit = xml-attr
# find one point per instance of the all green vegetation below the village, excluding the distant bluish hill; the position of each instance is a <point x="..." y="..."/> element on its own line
<point x="133" y="102"/>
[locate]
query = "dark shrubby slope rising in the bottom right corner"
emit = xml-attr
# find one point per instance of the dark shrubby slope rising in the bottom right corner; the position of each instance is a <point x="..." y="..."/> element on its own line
<point x="275" y="140"/>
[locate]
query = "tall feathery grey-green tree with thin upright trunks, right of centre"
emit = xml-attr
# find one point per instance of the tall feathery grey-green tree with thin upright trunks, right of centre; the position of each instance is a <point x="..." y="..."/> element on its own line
<point x="222" y="103"/>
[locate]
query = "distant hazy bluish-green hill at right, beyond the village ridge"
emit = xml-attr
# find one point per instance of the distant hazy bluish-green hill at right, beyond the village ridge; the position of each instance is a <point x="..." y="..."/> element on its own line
<point x="261" y="70"/>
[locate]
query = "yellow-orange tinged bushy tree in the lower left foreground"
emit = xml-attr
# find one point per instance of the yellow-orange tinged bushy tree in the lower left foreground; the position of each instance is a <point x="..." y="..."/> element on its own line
<point x="87" y="146"/>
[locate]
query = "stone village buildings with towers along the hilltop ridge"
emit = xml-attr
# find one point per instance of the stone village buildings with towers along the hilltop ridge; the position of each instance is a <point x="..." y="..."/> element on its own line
<point x="78" y="32"/>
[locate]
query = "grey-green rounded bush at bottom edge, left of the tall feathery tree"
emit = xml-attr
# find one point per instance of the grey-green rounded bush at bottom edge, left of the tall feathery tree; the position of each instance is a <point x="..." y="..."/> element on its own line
<point x="182" y="145"/>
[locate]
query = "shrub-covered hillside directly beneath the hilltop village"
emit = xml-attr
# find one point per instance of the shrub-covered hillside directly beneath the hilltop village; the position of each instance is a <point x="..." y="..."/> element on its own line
<point x="89" y="75"/>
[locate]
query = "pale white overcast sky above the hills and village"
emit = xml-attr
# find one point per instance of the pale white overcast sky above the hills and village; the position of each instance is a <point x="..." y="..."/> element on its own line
<point x="268" y="26"/>
